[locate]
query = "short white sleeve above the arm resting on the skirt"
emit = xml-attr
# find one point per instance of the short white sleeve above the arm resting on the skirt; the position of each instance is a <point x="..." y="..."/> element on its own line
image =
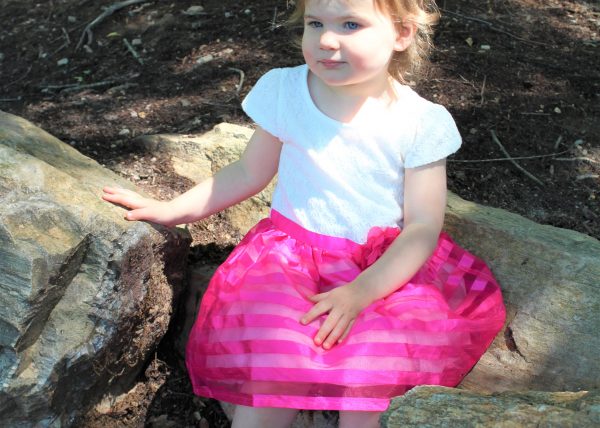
<point x="436" y="137"/>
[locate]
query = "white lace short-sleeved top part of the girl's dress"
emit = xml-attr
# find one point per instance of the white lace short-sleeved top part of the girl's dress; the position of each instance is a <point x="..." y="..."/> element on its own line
<point x="341" y="179"/>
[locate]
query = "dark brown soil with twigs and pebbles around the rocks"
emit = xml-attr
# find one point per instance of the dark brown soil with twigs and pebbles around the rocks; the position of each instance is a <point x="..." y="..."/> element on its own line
<point x="526" y="71"/>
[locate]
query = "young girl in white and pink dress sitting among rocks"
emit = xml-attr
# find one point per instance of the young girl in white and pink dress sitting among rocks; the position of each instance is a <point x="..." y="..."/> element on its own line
<point x="348" y="295"/>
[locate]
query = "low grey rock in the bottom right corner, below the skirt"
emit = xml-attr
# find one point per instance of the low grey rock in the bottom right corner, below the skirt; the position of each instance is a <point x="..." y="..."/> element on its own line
<point x="434" y="407"/>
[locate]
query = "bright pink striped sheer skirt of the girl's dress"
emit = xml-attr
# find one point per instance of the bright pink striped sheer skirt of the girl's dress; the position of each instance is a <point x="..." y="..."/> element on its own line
<point x="248" y="346"/>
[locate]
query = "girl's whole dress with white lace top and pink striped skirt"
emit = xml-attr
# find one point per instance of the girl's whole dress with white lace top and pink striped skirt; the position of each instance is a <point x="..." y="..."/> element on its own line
<point x="337" y="207"/>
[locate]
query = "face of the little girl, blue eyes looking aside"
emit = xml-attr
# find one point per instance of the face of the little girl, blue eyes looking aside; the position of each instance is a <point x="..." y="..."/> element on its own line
<point x="348" y="42"/>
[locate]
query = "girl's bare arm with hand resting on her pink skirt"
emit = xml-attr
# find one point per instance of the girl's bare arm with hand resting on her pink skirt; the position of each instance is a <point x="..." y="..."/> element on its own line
<point x="424" y="207"/>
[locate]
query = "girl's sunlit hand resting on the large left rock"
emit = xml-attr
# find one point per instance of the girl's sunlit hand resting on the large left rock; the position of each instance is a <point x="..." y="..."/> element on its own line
<point x="141" y="208"/>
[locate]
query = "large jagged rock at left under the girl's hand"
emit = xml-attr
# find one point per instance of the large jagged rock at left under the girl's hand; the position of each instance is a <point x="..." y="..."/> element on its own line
<point x="84" y="295"/>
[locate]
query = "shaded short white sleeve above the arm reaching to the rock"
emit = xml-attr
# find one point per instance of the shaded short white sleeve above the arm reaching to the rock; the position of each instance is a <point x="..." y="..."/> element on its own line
<point x="262" y="102"/>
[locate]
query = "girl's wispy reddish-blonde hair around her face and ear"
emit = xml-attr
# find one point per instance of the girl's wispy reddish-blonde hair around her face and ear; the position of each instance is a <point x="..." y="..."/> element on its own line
<point x="424" y="14"/>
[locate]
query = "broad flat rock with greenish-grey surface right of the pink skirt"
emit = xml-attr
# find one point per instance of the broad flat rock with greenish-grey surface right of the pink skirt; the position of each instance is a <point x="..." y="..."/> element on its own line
<point x="550" y="278"/>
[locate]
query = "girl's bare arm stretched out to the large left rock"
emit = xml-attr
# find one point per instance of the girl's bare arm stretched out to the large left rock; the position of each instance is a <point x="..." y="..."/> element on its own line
<point x="232" y="184"/>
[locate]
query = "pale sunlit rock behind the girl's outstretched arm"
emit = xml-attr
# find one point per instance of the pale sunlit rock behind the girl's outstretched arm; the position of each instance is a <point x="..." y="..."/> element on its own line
<point x="198" y="157"/>
